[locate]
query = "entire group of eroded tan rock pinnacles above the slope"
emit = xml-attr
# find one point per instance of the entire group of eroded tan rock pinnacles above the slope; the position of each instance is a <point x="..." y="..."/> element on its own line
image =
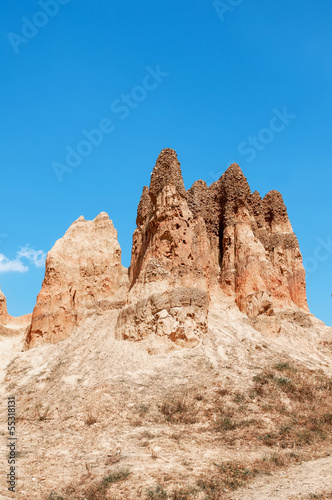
<point x="188" y="247"/>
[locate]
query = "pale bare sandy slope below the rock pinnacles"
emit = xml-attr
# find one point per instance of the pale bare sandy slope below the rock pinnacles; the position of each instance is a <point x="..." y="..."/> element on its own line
<point x="122" y="386"/>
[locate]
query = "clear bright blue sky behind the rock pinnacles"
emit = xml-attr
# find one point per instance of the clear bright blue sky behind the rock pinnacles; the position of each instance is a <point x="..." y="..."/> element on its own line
<point x="204" y="78"/>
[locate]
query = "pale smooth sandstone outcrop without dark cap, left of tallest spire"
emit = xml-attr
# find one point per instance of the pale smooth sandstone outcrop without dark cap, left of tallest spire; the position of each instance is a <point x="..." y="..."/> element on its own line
<point x="83" y="276"/>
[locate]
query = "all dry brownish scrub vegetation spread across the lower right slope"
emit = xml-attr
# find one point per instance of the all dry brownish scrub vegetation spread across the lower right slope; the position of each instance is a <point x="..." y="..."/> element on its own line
<point x="285" y="411"/>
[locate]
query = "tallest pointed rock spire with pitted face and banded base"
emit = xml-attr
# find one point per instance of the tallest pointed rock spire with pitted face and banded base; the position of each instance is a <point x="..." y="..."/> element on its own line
<point x="169" y="272"/>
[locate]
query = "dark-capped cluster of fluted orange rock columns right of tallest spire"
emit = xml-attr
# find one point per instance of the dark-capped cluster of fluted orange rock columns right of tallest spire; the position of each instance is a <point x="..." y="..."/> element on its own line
<point x="254" y="250"/>
